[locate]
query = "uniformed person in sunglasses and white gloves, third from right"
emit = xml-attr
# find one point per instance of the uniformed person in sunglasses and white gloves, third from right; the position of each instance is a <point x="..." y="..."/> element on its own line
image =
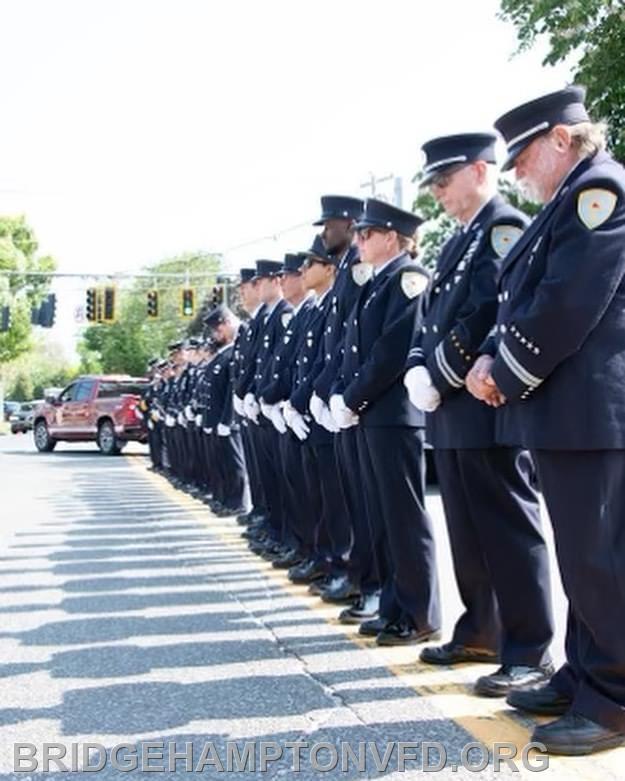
<point x="370" y="395"/>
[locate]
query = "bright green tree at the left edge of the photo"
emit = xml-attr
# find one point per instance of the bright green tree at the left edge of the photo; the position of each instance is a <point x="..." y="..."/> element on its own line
<point x="18" y="248"/>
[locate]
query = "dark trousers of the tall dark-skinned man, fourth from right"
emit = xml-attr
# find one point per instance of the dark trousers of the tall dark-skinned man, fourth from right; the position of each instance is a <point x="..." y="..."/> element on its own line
<point x="362" y="564"/>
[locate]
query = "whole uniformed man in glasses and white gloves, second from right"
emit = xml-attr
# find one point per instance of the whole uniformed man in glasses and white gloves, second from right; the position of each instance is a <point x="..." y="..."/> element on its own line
<point x="491" y="509"/>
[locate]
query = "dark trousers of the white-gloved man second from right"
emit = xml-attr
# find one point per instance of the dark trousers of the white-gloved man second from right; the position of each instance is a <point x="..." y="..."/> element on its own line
<point x="500" y="557"/>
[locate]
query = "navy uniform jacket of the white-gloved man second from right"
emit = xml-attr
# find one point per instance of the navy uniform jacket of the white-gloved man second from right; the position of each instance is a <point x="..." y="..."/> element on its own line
<point x="461" y="311"/>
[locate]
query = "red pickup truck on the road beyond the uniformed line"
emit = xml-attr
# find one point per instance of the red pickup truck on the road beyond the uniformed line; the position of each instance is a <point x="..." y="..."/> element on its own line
<point x="102" y="409"/>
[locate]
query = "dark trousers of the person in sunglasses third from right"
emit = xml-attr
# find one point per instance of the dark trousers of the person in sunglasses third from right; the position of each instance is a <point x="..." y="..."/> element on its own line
<point x="395" y="465"/>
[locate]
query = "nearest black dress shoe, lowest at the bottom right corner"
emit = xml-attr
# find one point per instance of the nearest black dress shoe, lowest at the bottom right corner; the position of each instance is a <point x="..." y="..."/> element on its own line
<point x="574" y="735"/>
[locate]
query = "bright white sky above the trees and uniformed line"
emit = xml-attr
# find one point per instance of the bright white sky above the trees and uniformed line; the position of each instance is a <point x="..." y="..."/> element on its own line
<point x="139" y="129"/>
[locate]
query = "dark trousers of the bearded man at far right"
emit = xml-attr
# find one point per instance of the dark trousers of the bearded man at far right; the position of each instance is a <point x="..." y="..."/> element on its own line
<point x="585" y="496"/>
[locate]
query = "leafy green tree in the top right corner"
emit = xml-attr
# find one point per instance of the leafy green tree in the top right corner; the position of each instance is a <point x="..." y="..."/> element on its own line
<point x="593" y="31"/>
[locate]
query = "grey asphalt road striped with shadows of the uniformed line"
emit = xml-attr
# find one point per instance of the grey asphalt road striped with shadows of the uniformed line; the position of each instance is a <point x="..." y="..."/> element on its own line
<point x="129" y="615"/>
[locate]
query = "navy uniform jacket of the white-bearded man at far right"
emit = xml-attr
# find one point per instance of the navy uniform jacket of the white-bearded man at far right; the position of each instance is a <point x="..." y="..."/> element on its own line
<point x="560" y="336"/>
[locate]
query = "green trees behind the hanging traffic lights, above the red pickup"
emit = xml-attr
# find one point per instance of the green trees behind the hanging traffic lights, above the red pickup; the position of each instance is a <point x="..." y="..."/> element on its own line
<point x="126" y="345"/>
